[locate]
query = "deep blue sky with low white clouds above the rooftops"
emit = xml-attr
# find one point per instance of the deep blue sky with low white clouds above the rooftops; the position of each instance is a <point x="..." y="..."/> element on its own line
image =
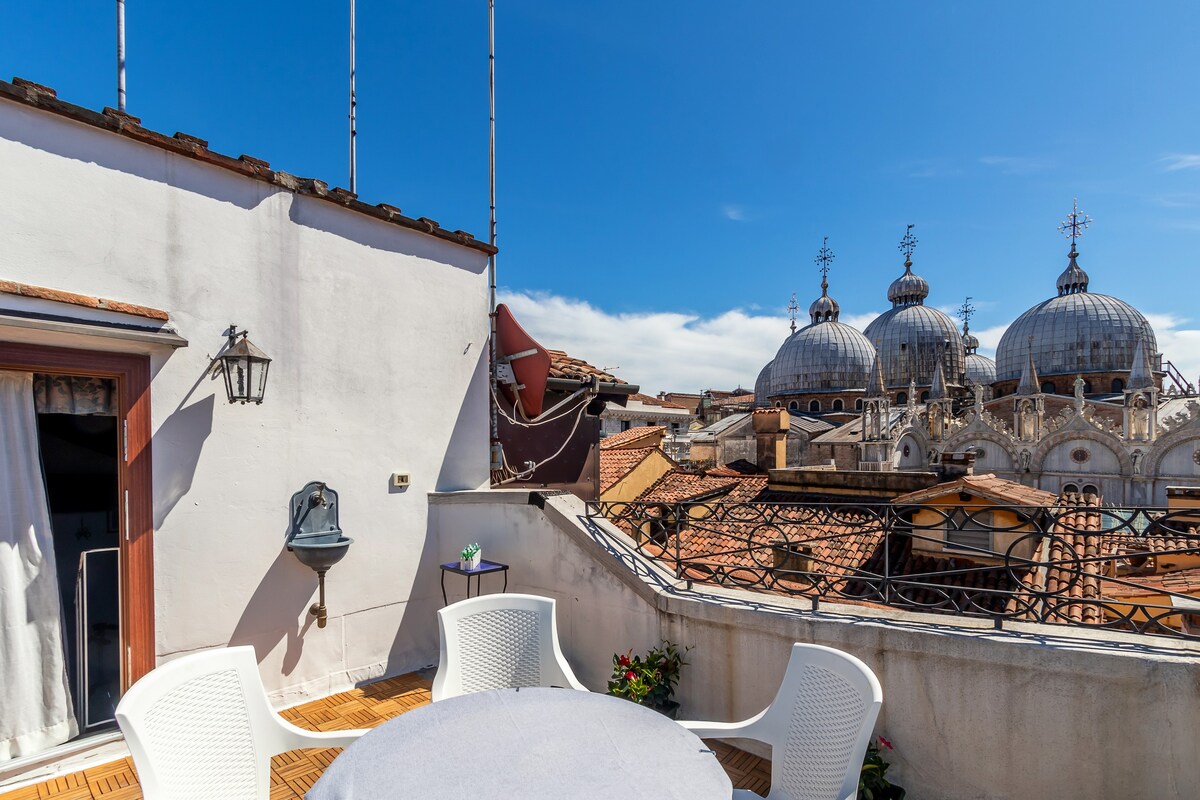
<point x="668" y="170"/>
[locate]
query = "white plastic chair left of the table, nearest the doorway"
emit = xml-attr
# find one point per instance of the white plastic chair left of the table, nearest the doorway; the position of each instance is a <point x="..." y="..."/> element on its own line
<point x="201" y="727"/>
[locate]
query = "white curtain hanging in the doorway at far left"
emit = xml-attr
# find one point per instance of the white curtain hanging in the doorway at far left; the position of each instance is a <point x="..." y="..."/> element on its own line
<point x="35" y="697"/>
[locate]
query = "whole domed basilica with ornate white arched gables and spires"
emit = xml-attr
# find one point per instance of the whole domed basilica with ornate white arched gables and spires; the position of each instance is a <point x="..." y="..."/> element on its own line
<point x="1075" y="400"/>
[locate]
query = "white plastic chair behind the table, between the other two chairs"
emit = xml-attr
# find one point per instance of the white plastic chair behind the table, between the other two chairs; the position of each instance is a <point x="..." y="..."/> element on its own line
<point x="500" y="642"/>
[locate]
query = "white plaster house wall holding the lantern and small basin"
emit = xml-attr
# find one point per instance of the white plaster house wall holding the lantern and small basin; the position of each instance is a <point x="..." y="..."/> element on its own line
<point x="379" y="338"/>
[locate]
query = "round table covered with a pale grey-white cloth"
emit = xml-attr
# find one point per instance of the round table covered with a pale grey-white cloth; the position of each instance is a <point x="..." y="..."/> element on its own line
<point x="526" y="744"/>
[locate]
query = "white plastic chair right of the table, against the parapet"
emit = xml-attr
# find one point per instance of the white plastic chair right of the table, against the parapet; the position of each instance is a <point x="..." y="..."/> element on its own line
<point x="819" y="726"/>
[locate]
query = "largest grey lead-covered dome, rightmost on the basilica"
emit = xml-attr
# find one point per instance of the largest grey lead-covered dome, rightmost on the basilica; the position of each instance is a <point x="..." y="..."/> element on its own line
<point x="1077" y="333"/>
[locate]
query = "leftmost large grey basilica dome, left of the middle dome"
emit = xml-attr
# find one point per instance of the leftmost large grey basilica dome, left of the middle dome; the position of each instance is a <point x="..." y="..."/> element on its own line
<point x="824" y="357"/>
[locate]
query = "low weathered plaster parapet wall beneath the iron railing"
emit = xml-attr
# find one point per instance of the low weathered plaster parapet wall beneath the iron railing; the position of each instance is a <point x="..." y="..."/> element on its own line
<point x="1033" y="712"/>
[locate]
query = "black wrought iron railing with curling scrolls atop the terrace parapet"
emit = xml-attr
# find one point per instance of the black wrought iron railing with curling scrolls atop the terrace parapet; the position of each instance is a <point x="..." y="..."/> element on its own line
<point x="1126" y="569"/>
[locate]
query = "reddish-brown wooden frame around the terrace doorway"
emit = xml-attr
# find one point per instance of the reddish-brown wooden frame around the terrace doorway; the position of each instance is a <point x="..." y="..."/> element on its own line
<point x="131" y="371"/>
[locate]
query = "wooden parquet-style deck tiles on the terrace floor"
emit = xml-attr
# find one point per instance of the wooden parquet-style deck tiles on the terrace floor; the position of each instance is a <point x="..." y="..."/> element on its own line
<point x="295" y="773"/>
